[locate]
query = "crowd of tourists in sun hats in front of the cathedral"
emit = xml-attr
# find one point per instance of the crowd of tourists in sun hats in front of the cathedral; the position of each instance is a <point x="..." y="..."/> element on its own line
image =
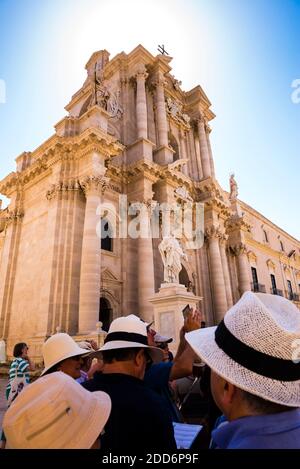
<point x="244" y="374"/>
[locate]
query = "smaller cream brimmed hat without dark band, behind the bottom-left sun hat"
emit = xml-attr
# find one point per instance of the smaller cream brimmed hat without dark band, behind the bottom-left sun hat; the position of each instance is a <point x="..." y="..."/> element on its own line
<point x="59" y="347"/>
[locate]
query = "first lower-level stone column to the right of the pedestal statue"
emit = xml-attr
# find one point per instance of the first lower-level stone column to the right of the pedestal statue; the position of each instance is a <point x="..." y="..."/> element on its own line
<point x="216" y="269"/>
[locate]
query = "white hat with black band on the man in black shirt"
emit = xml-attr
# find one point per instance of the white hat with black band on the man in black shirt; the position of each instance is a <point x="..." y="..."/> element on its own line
<point x="130" y="332"/>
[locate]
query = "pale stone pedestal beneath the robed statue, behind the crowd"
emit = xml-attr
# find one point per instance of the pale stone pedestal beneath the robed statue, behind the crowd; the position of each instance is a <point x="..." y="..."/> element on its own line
<point x="168" y="304"/>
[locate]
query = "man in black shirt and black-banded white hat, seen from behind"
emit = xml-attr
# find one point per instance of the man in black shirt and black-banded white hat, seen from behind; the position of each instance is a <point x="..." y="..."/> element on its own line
<point x="139" y="421"/>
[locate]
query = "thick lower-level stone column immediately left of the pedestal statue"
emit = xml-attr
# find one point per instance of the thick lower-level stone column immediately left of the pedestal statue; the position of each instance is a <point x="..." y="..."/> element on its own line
<point x="145" y="264"/>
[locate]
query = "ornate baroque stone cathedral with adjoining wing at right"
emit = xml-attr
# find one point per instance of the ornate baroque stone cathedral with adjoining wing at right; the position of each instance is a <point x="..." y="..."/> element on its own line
<point x="130" y="130"/>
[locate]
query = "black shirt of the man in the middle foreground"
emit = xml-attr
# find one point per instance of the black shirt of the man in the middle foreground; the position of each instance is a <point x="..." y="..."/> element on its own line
<point x="138" y="421"/>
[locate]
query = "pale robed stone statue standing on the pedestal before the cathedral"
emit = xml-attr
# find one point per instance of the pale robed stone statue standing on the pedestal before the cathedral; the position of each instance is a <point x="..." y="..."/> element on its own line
<point x="172" y="254"/>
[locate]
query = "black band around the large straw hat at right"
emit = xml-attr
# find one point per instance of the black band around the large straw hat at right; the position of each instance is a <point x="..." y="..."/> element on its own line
<point x="253" y="360"/>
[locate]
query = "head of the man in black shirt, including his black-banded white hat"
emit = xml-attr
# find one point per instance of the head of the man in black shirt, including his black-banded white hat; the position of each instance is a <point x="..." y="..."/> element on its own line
<point x="126" y="349"/>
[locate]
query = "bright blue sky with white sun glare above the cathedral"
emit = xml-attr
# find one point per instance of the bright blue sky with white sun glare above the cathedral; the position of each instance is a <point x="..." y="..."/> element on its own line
<point x="245" y="55"/>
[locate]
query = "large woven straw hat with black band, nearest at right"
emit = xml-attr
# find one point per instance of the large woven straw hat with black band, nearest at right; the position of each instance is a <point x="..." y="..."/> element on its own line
<point x="256" y="347"/>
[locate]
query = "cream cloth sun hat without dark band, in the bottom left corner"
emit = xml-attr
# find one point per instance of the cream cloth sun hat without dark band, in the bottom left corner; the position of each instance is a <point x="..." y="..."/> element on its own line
<point x="55" y="412"/>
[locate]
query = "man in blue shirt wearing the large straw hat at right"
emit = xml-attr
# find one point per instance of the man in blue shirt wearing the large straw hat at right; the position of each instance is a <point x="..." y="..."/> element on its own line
<point x="255" y="372"/>
